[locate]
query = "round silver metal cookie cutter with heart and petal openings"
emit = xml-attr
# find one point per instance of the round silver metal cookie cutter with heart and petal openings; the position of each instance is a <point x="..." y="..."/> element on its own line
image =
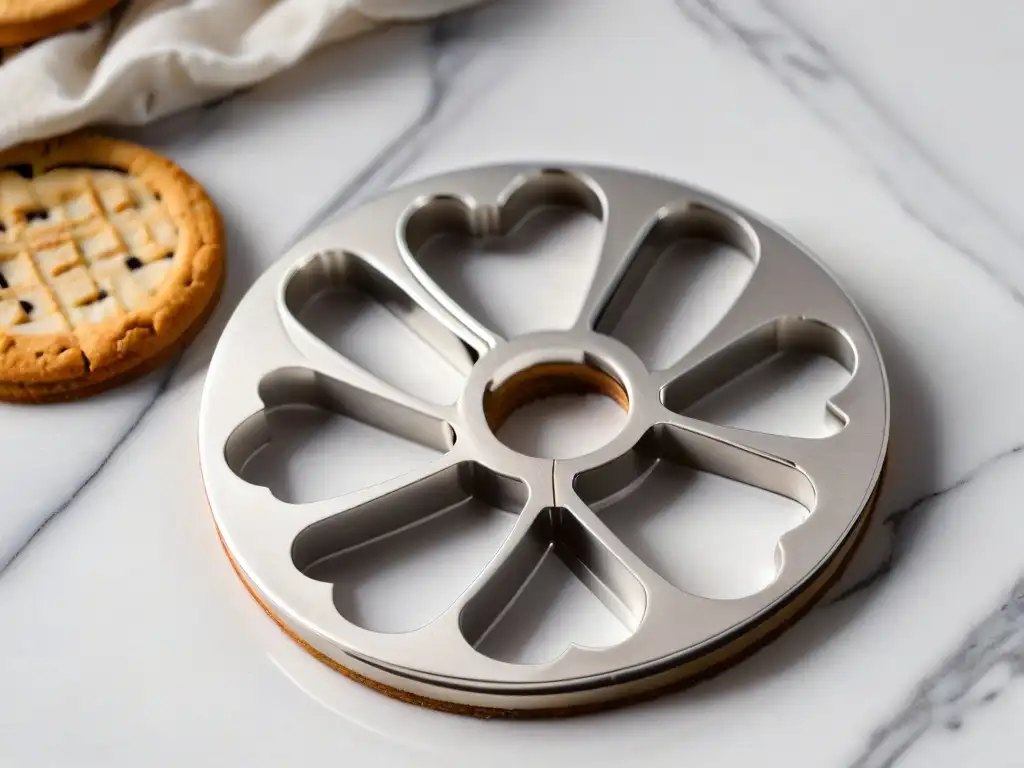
<point x="267" y="359"/>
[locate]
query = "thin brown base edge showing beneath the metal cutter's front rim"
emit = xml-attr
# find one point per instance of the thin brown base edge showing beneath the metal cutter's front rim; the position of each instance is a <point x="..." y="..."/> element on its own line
<point x="684" y="676"/>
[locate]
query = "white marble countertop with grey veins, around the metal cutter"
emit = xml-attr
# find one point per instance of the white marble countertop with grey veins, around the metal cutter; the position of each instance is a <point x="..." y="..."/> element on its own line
<point x="884" y="135"/>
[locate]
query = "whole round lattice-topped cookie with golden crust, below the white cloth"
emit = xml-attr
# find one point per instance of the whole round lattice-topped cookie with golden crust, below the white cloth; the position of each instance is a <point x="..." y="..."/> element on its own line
<point x="111" y="259"/>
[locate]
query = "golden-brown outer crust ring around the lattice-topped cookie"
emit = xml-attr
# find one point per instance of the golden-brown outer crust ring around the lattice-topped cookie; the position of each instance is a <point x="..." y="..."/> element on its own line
<point x="57" y="366"/>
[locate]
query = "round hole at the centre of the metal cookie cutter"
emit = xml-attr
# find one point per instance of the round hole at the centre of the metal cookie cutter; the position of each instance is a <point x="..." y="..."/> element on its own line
<point x="558" y="410"/>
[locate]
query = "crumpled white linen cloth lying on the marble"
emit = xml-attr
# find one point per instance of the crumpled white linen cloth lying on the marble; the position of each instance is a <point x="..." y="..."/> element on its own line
<point x="150" y="59"/>
